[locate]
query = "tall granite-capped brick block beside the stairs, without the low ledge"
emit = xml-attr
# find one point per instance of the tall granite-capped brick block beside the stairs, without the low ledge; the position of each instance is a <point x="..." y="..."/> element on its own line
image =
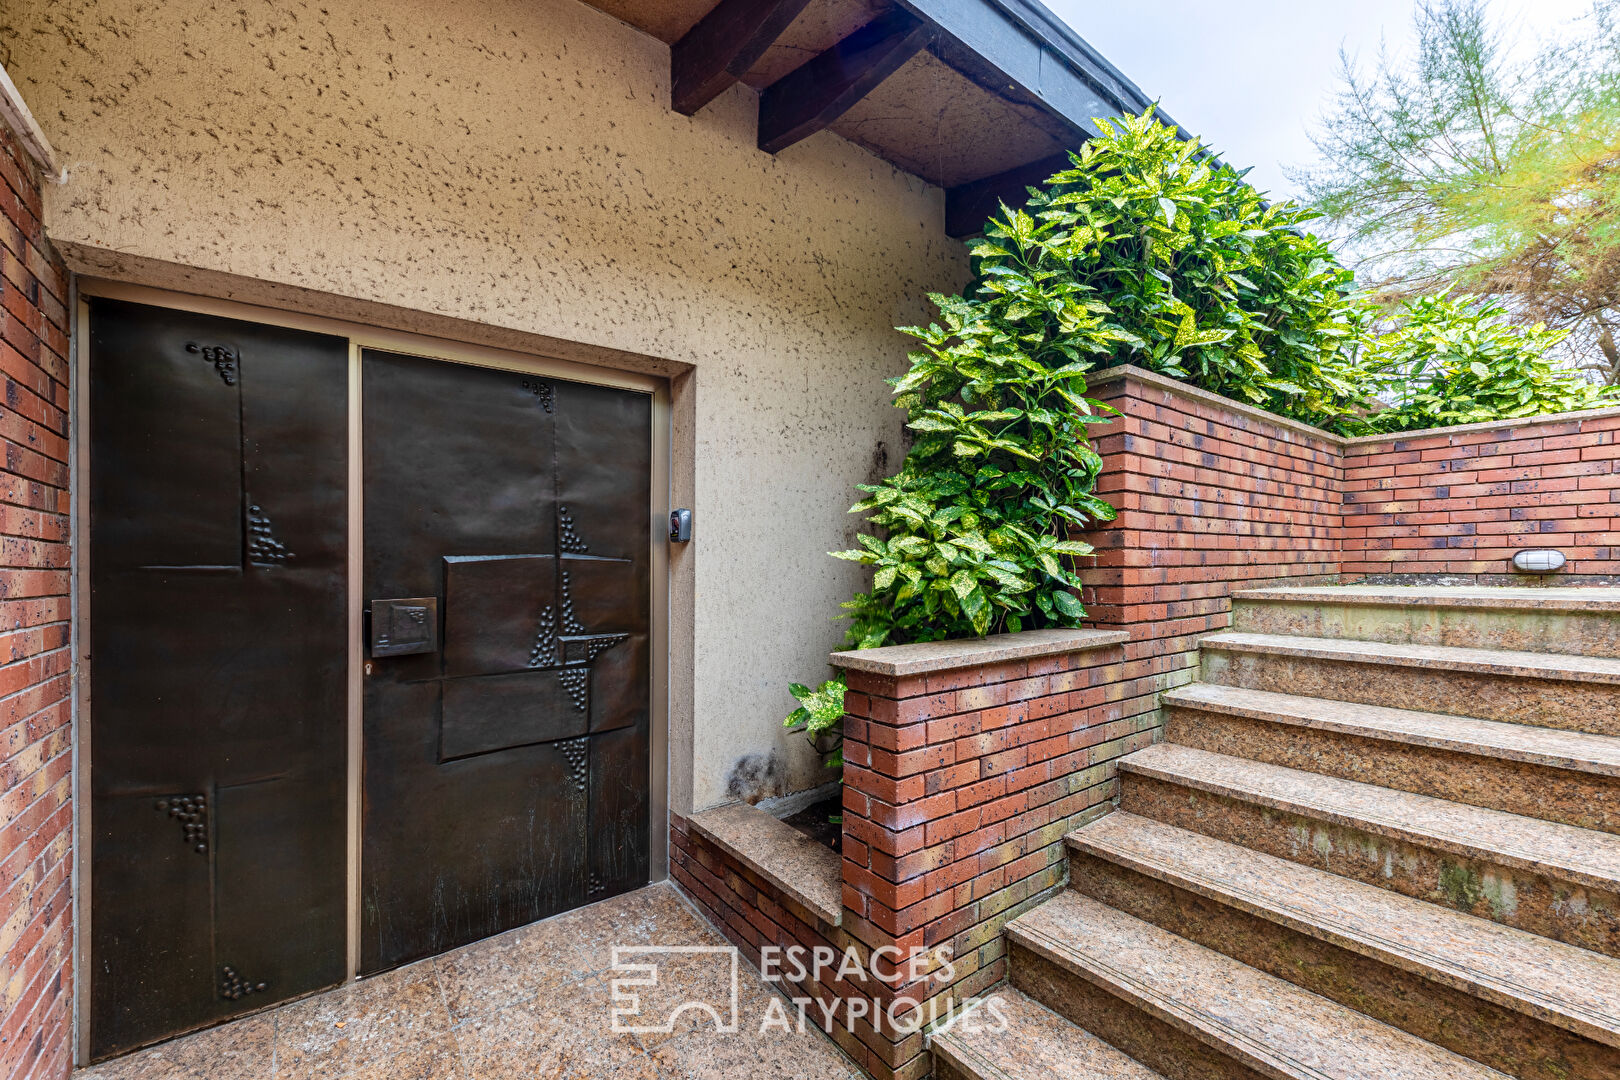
<point x="966" y="765"/>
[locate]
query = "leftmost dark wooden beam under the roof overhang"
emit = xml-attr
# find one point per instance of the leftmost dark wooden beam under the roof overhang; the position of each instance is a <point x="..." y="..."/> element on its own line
<point x="723" y="46"/>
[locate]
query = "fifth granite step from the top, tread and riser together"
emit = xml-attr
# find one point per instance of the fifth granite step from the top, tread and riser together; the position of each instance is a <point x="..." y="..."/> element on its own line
<point x="1517" y="1001"/>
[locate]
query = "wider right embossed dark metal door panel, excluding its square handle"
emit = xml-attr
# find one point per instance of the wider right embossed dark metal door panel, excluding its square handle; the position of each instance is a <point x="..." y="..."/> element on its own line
<point x="506" y="773"/>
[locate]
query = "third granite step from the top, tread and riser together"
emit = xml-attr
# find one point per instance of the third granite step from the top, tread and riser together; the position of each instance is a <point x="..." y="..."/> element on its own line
<point x="1538" y="772"/>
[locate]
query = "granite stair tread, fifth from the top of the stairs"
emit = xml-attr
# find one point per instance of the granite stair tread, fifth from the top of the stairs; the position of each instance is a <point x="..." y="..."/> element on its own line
<point x="1559" y="984"/>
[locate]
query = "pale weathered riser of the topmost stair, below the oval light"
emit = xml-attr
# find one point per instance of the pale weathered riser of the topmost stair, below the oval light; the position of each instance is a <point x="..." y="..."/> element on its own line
<point x="1572" y="634"/>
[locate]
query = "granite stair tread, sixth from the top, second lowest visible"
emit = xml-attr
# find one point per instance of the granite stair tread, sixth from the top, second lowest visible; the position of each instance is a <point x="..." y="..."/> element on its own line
<point x="1268" y="1024"/>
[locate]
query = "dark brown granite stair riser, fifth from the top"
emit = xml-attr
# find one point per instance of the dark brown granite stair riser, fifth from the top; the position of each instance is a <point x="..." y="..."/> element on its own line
<point x="1443" y="1014"/>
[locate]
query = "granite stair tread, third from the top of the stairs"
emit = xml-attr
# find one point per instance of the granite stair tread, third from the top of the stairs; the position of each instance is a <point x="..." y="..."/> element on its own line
<point x="1498" y="739"/>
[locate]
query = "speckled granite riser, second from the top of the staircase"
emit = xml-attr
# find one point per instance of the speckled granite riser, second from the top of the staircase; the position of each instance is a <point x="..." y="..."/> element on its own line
<point x="1579" y="707"/>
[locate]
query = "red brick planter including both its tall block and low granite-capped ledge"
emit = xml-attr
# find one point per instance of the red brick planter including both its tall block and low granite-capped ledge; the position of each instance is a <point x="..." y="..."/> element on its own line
<point x="968" y="762"/>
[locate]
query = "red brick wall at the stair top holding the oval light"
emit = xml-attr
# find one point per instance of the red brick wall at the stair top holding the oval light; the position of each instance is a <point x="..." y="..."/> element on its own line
<point x="1460" y="503"/>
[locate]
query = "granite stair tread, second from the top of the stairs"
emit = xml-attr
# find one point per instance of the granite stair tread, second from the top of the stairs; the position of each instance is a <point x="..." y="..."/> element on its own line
<point x="1597" y="670"/>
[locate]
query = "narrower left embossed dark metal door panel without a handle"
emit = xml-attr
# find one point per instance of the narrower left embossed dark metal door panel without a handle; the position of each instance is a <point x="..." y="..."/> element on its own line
<point x="218" y="678"/>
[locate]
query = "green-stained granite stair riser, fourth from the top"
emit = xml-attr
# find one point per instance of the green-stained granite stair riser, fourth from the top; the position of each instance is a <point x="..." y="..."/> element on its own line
<point x="1538" y="903"/>
